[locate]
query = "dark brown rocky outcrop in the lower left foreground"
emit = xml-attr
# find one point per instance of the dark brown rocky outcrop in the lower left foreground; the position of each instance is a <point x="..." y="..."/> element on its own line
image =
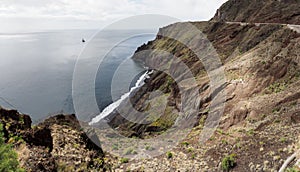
<point x="57" y="144"/>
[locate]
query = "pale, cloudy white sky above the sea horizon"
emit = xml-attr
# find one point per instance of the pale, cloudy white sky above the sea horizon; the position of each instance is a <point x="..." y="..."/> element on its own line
<point x="42" y="15"/>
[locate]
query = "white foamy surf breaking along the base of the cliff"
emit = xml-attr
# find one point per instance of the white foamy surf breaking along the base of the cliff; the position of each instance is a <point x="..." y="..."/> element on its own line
<point x="109" y="109"/>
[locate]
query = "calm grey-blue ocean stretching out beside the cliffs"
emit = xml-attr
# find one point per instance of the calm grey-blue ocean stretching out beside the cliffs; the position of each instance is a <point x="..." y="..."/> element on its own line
<point x="36" y="69"/>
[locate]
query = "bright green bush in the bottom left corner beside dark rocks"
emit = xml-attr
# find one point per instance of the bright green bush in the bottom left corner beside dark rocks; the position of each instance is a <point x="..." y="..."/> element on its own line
<point x="8" y="157"/>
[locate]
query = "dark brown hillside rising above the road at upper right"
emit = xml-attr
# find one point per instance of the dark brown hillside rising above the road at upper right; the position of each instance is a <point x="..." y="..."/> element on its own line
<point x="256" y="11"/>
